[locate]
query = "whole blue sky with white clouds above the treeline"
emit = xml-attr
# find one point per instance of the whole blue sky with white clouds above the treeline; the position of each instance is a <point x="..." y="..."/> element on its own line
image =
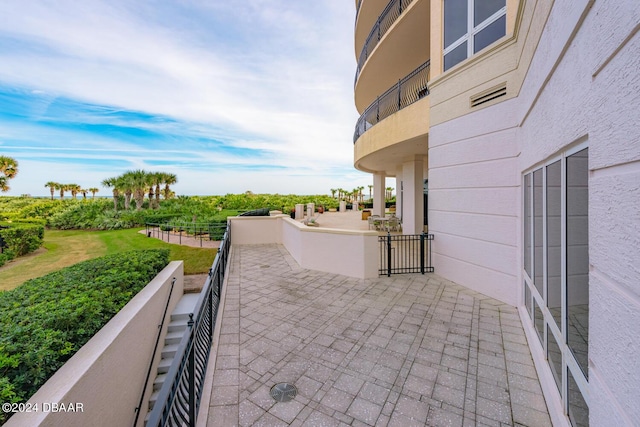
<point x="231" y="96"/>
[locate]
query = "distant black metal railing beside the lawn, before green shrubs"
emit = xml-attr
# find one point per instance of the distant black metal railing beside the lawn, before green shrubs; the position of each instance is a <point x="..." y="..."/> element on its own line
<point x="179" y="229"/>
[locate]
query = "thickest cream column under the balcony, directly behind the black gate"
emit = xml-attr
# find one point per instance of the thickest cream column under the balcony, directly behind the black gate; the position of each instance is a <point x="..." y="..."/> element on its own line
<point x="413" y="211"/>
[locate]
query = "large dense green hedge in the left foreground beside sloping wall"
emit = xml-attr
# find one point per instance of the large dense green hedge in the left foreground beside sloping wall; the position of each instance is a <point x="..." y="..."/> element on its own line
<point x="46" y="320"/>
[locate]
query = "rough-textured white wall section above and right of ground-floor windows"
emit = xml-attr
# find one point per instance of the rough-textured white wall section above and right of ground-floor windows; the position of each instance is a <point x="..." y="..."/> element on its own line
<point x="584" y="85"/>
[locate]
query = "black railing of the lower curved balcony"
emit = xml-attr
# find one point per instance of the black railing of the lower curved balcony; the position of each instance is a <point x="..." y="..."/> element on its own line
<point x="407" y="91"/>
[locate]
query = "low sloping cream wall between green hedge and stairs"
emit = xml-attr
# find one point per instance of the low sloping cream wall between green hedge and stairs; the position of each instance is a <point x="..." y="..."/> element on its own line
<point x="105" y="377"/>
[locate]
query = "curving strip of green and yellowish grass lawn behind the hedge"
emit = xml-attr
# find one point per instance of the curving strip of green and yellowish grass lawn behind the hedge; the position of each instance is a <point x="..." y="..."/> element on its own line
<point x="67" y="247"/>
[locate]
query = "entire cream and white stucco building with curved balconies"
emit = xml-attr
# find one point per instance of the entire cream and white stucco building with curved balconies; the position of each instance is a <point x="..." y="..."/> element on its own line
<point x="512" y="130"/>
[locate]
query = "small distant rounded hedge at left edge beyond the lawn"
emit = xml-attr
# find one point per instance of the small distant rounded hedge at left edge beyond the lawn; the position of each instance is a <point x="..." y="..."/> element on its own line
<point x="17" y="239"/>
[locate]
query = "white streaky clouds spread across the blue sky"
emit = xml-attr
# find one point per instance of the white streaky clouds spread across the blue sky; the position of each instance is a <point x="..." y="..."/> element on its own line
<point x="268" y="75"/>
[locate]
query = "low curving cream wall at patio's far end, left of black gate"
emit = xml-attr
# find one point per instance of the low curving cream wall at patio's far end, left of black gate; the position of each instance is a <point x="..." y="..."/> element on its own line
<point x="350" y="253"/>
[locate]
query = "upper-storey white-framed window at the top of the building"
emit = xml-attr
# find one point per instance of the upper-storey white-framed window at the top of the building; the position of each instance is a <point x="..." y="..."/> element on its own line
<point x="470" y="26"/>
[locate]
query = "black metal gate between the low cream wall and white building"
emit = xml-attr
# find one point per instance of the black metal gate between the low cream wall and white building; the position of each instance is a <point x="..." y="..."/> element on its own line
<point x="407" y="253"/>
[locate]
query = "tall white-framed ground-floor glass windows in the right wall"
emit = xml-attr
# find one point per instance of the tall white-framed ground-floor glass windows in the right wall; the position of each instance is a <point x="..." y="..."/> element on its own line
<point x="556" y="271"/>
